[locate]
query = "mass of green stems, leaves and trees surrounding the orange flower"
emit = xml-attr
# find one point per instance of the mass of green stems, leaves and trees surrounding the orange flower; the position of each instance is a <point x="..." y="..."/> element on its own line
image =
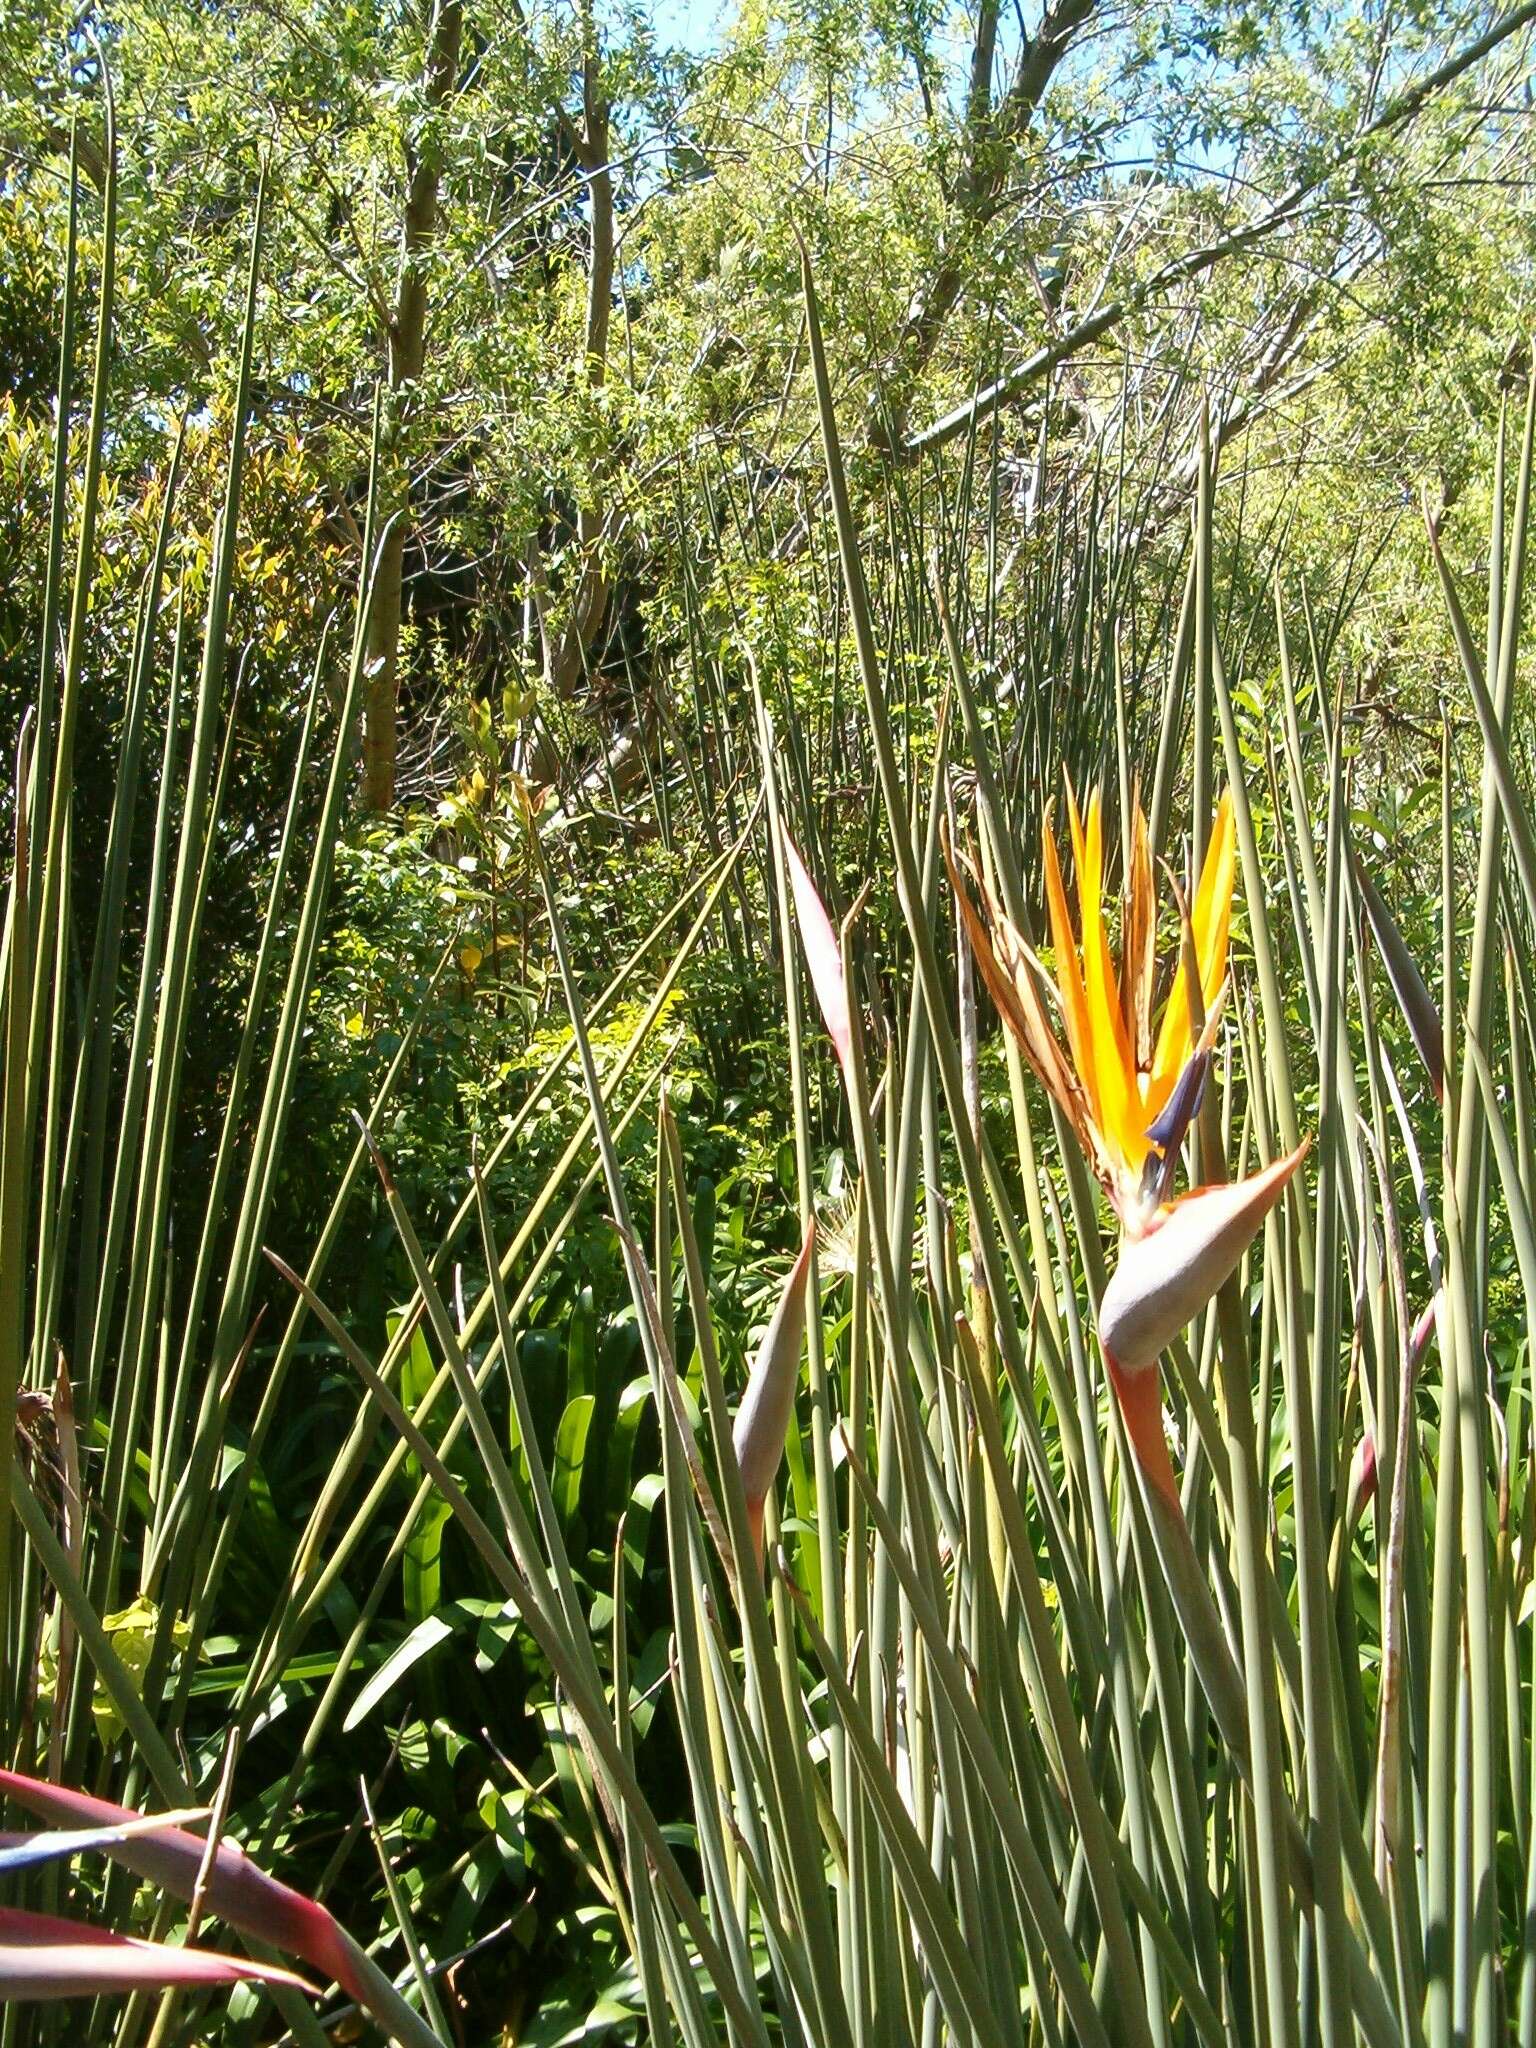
<point x="464" y="1525"/>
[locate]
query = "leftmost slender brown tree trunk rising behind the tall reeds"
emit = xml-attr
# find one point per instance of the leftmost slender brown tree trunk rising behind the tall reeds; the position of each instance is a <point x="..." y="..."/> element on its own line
<point x="407" y="341"/>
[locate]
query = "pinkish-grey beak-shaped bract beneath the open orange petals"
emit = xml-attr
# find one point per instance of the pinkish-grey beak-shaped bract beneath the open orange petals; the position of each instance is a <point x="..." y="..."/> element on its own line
<point x="1166" y="1277"/>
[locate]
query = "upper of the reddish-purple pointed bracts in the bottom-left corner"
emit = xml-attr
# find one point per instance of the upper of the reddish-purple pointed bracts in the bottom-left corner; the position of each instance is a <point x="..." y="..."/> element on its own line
<point x="237" y="1891"/>
